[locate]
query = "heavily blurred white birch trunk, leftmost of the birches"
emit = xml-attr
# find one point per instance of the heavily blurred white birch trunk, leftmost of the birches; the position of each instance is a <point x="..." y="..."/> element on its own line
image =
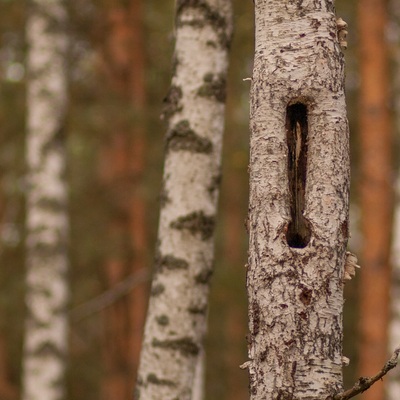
<point x="45" y="341"/>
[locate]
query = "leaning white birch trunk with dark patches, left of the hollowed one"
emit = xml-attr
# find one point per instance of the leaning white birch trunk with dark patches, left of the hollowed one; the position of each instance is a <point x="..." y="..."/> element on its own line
<point x="176" y="320"/>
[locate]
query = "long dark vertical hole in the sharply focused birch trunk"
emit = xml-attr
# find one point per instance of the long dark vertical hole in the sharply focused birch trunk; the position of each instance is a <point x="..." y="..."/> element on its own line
<point x="298" y="233"/>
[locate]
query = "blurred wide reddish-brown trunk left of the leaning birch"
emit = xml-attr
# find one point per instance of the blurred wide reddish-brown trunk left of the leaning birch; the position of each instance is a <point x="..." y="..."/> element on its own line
<point x="123" y="165"/>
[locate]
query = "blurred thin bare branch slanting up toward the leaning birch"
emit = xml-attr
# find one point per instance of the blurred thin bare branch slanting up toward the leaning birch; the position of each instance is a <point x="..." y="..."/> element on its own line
<point x="109" y="296"/>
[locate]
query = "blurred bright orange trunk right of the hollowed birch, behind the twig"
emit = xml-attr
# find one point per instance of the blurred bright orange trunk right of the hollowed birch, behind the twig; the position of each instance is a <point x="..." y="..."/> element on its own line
<point x="375" y="190"/>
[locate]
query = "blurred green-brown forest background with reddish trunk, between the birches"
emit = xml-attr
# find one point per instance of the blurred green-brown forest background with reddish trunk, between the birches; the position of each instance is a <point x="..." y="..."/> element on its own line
<point x="119" y="68"/>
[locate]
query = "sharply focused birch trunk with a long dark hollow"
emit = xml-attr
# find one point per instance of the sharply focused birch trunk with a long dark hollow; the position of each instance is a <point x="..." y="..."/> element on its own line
<point x="298" y="210"/>
